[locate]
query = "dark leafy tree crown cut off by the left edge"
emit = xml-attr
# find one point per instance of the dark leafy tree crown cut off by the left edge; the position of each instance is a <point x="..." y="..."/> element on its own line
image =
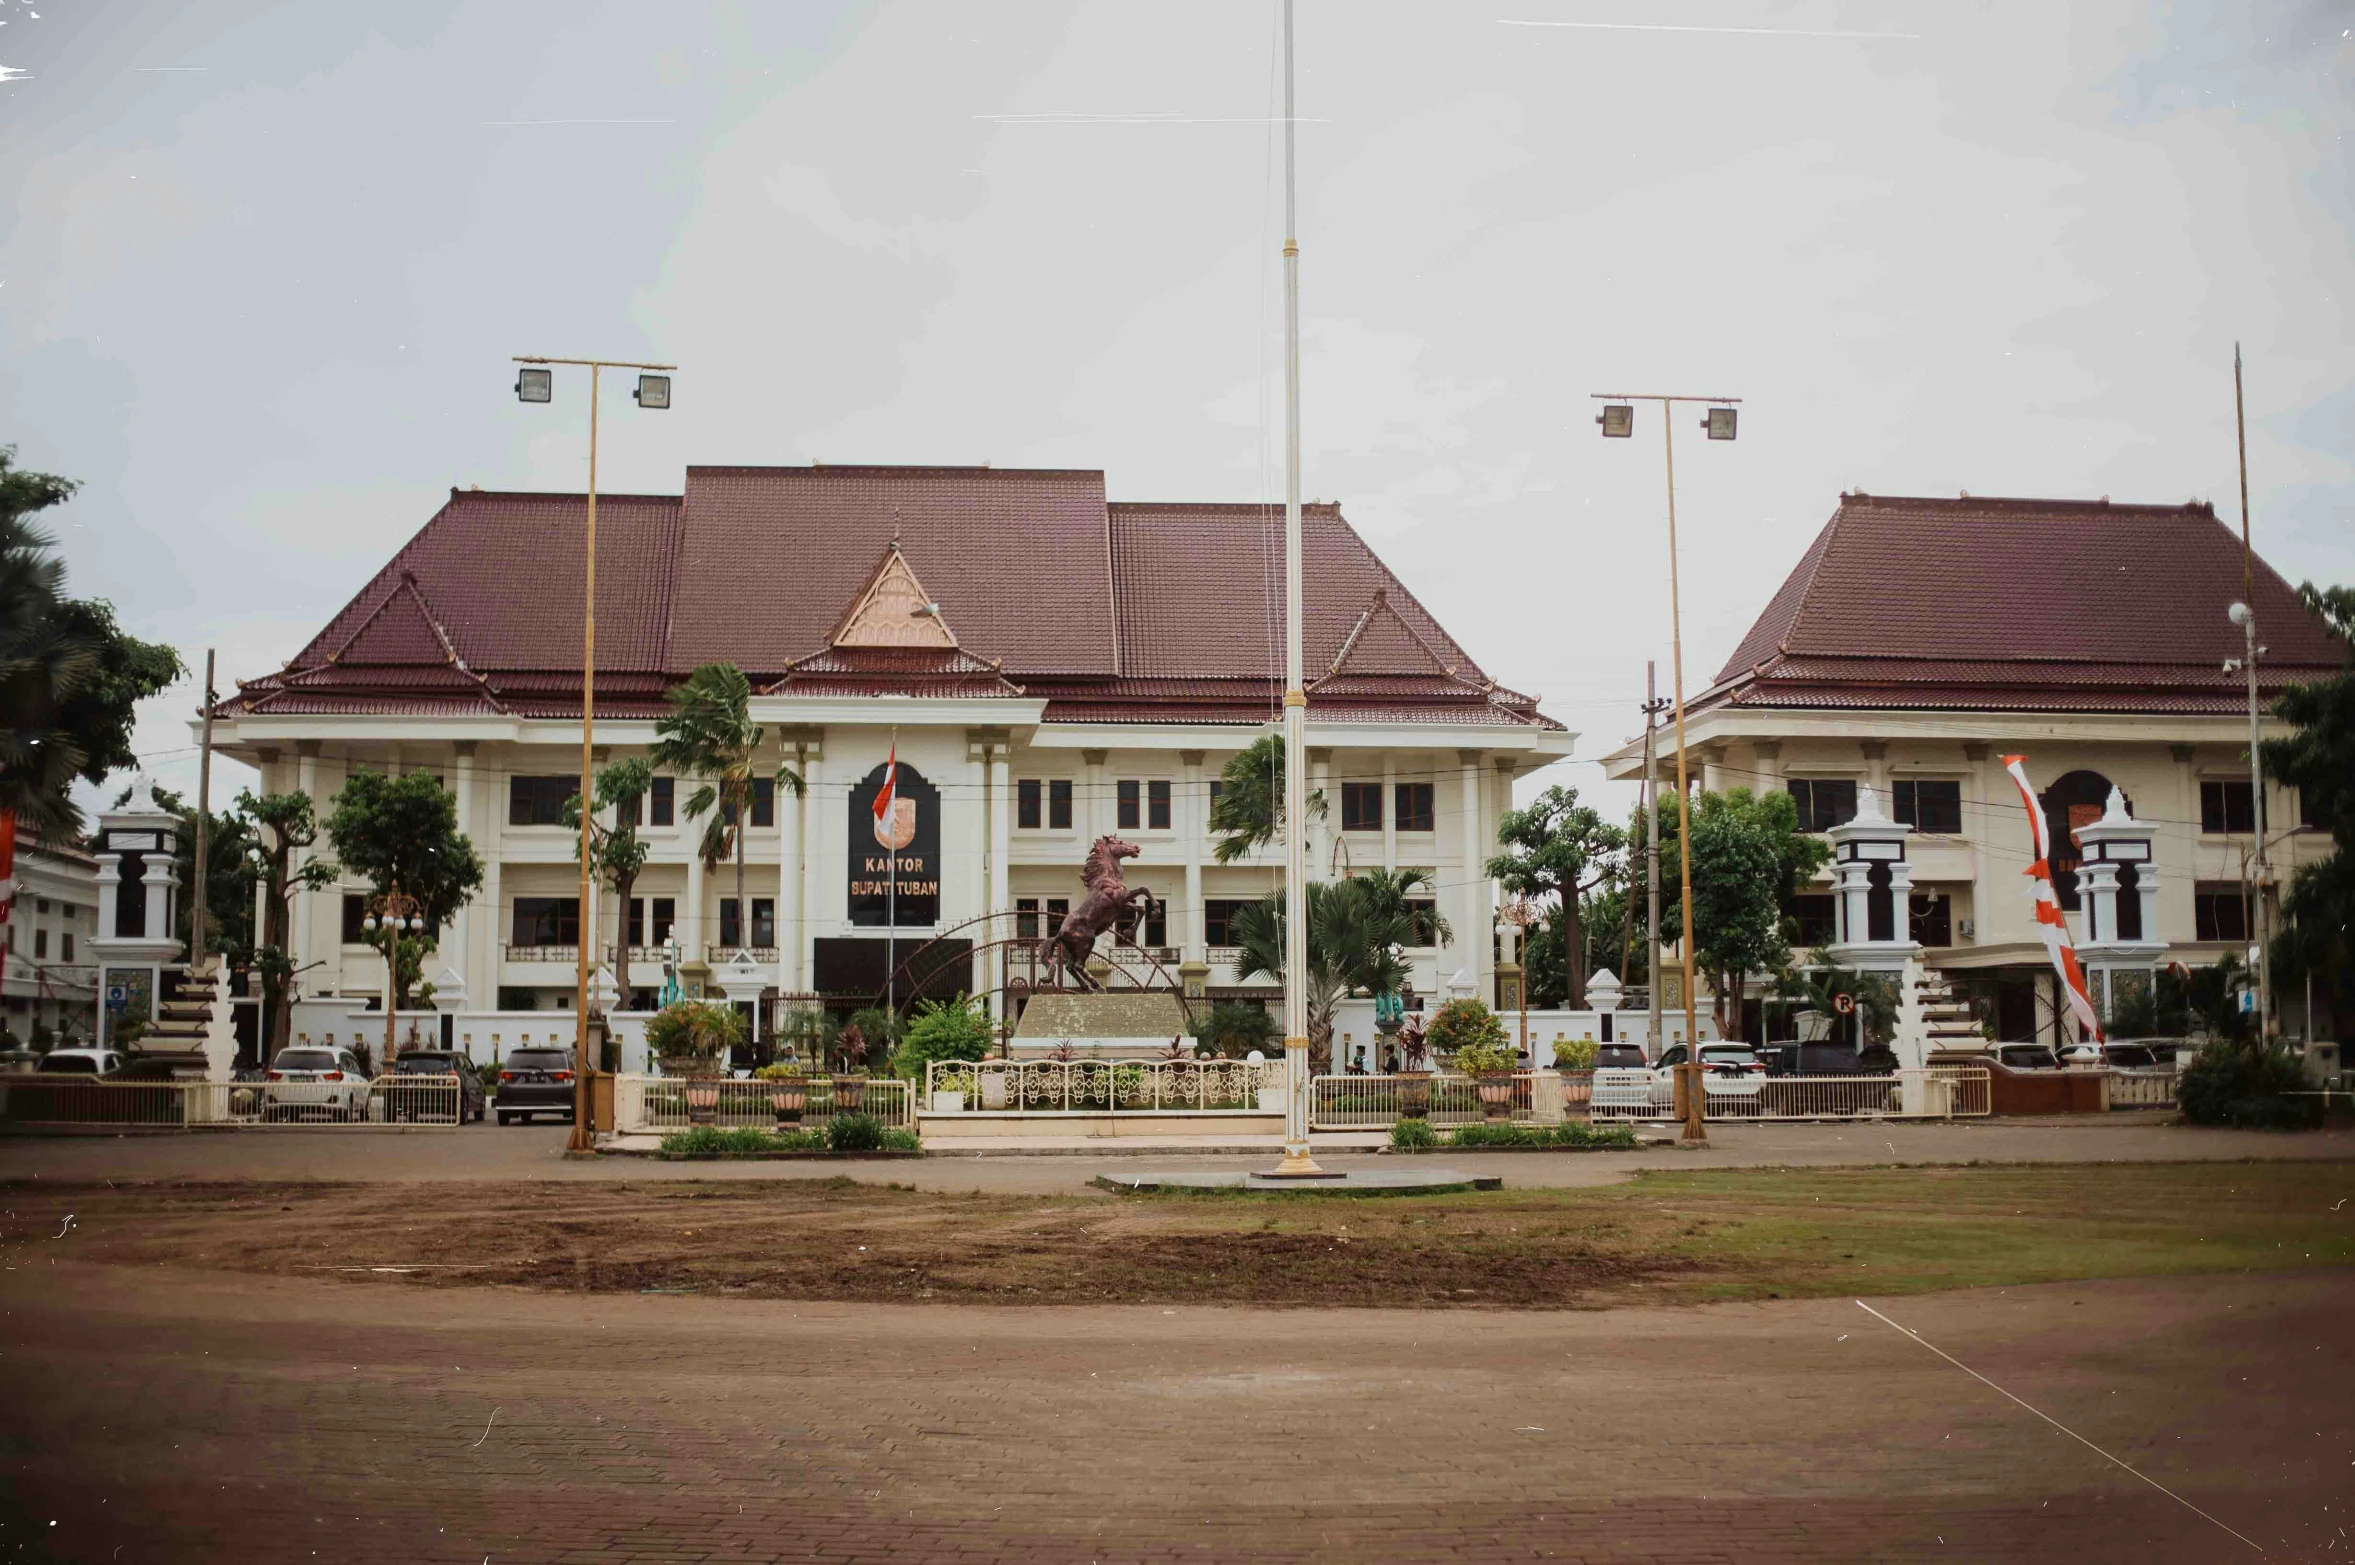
<point x="69" y="677"/>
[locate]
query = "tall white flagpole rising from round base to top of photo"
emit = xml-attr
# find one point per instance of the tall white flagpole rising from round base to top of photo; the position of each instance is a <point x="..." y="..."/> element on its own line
<point x="1296" y="884"/>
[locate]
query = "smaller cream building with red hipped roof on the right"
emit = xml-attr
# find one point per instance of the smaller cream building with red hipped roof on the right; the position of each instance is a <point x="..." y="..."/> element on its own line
<point x="1921" y="641"/>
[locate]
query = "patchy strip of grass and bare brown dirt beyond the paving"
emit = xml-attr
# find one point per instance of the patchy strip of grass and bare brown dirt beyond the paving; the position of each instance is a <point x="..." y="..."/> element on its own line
<point x="1661" y="1239"/>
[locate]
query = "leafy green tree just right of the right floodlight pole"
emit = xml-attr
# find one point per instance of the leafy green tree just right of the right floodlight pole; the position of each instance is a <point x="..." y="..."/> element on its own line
<point x="1749" y="863"/>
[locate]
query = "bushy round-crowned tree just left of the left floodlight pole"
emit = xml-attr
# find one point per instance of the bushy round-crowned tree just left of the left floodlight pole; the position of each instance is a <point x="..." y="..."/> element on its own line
<point x="404" y="832"/>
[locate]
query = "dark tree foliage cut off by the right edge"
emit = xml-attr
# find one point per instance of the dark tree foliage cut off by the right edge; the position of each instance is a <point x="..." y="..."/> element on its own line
<point x="2318" y="761"/>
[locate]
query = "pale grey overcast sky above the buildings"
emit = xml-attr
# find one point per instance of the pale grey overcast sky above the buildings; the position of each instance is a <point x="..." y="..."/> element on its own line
<point x="263" y="269"/>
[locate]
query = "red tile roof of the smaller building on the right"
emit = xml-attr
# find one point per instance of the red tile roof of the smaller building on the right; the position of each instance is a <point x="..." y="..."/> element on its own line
<point x="2019" y="606"/>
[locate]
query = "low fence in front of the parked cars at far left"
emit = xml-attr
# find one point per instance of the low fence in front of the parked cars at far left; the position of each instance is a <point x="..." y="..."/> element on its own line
<point x="387" y="1100"/>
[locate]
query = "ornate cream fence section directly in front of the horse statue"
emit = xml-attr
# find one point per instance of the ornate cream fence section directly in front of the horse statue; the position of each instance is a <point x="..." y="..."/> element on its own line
<point x="1106" y="1086"/>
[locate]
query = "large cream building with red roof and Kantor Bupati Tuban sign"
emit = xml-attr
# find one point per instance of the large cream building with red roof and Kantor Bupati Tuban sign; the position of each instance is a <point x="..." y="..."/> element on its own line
<point x="1054" y="667"/>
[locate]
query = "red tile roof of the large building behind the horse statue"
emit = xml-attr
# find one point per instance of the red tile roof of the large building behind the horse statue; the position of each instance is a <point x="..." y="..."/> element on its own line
<point x="1113" y="613"/>
